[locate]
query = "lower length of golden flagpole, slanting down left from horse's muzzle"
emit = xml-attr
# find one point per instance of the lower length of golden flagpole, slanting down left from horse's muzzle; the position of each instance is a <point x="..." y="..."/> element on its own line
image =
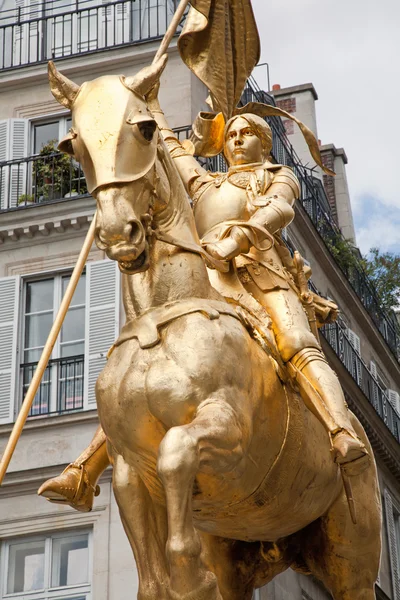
<point x="46" y="353"/>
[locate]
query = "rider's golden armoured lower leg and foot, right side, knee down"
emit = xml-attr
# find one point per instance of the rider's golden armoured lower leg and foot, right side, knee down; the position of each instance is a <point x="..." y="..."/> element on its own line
<point x="323" y="395"/>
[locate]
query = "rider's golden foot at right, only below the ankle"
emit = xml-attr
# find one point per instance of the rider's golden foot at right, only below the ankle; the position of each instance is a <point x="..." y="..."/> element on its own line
<point x="350" y="453"/>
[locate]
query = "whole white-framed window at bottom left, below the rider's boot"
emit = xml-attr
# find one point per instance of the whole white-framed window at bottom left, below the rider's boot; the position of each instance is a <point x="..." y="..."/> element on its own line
<point x="47" y="567"/>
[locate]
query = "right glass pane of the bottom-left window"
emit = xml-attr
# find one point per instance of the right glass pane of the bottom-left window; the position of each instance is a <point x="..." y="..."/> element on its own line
<point x="70" y="561"/>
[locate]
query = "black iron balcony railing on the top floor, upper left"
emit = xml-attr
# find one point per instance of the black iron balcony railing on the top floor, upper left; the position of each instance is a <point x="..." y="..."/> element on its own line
<point x="58" y="28"/>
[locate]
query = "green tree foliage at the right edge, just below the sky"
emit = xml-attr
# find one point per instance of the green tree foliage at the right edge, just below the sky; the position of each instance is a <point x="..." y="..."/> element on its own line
<point x="383" y="269"/>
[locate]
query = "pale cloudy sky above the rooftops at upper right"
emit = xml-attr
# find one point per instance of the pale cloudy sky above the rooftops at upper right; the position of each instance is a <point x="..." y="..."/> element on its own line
<point x="350" y="51"/>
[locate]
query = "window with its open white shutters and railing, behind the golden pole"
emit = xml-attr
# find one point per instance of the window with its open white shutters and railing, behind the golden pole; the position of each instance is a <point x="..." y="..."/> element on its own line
<point x="29" y="305"/>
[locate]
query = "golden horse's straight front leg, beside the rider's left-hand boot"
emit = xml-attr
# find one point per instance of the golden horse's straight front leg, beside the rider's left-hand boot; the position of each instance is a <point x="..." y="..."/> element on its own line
<point x="145" y="525"/>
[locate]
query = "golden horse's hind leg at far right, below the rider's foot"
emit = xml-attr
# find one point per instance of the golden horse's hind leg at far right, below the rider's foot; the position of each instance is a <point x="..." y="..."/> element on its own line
<point x="344" y="556"/>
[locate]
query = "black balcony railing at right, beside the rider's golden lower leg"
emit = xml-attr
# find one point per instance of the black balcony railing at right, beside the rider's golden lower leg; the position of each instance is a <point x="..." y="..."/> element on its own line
<point x="336" y="337"/>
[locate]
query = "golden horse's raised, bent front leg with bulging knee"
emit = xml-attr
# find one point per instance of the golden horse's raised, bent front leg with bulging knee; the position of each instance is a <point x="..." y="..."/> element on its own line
<point x="213" y="440"/>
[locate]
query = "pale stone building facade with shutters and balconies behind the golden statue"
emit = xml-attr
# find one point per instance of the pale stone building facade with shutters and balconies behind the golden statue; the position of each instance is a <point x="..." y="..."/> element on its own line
<point x="51" y="552"/>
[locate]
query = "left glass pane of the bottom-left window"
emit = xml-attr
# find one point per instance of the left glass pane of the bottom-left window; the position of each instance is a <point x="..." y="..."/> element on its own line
<point x="26" y="567"/>
